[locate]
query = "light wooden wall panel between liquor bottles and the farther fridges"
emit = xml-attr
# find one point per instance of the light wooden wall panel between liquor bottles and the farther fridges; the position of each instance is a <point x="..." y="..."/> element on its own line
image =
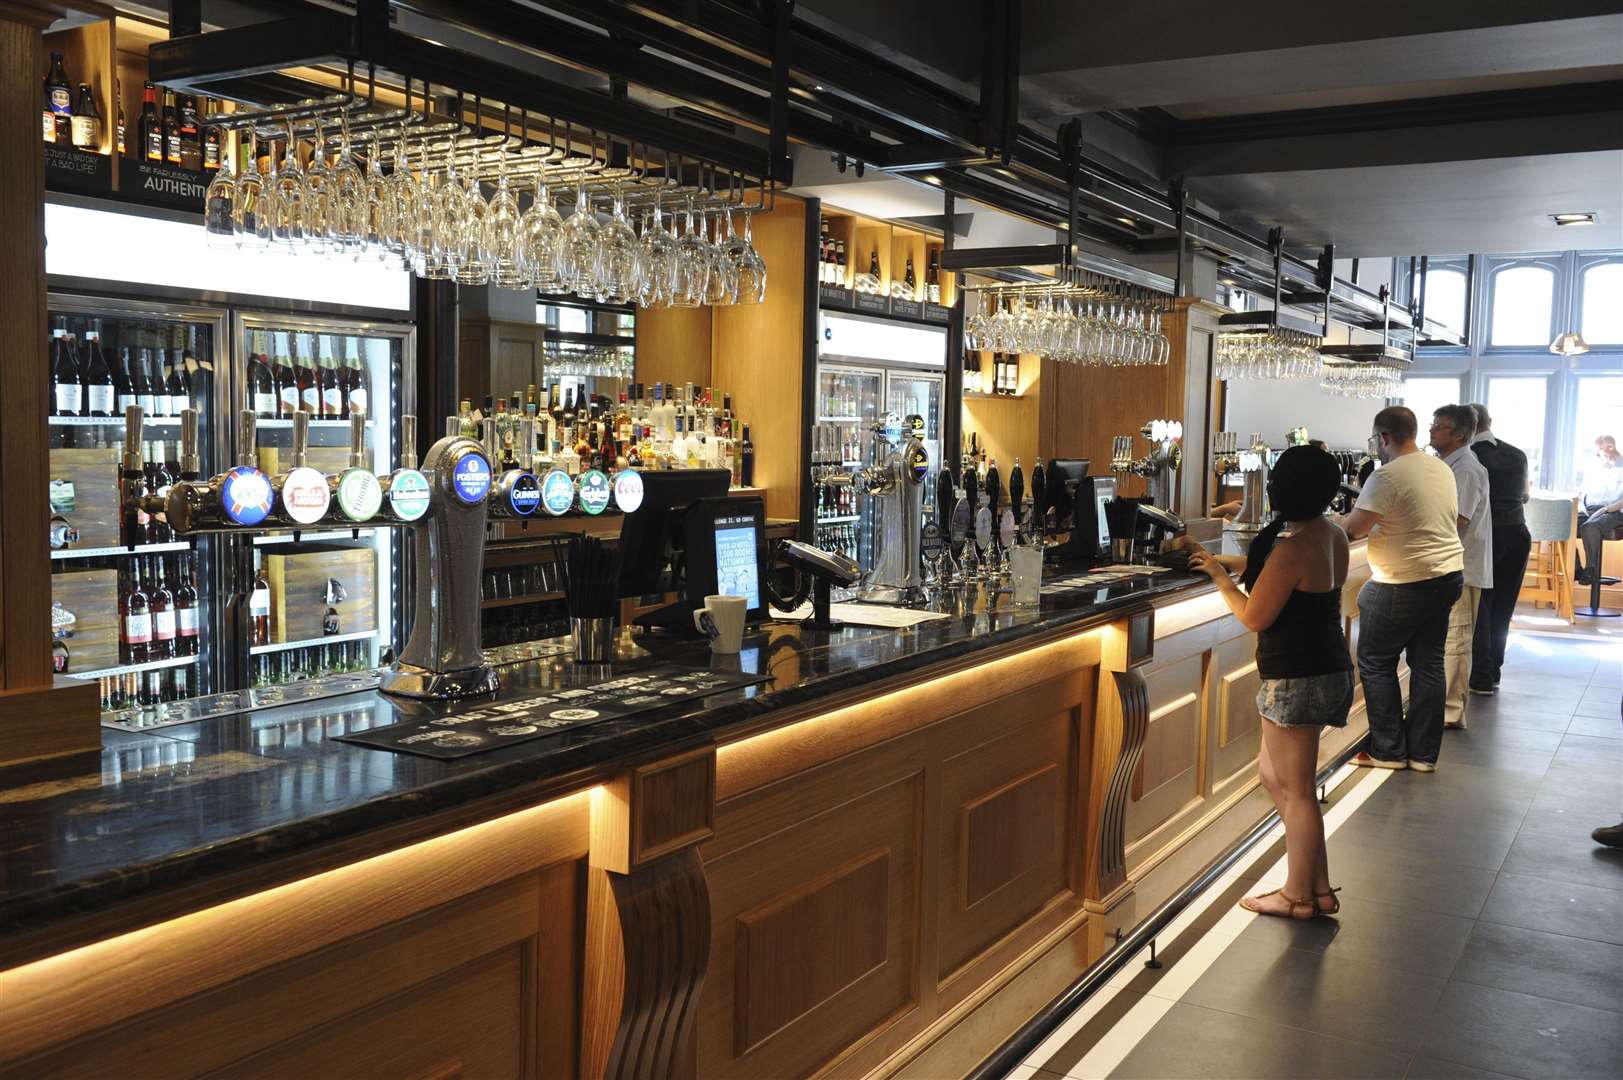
<point x="757" y="353"/>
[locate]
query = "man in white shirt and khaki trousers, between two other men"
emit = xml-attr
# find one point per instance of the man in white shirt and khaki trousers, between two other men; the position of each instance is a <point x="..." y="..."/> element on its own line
<point x="1452" y="431"/>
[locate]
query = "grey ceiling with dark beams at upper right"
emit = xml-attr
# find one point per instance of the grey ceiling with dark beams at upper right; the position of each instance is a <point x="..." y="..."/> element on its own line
<point x="1384" y="127"/>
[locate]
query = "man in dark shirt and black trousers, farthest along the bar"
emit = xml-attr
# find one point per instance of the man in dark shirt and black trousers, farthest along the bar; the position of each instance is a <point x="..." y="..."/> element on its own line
<point x="1507" y="493"/>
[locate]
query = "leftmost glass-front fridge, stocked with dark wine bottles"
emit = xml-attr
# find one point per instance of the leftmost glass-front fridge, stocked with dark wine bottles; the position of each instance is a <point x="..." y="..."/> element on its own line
<point x="134" y="607"/>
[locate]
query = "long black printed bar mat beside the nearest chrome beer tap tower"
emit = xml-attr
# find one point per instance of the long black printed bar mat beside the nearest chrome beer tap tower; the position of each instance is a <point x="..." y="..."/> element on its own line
<point x="540" y="715"/>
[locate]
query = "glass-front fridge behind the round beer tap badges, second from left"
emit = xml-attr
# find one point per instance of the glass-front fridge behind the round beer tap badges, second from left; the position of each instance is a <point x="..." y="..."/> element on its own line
<point x="327" y="600"/>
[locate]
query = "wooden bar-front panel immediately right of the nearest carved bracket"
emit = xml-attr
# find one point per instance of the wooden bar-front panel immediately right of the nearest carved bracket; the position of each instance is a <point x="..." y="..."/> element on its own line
<point x="851" y="836"/>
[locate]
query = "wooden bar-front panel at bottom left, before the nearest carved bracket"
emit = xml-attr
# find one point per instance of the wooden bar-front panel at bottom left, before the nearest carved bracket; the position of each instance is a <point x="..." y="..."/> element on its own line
<point x="374" y="983"/>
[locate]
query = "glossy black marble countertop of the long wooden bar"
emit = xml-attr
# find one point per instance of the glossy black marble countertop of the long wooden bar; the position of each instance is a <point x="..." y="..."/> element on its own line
<point x="171" y="810"/>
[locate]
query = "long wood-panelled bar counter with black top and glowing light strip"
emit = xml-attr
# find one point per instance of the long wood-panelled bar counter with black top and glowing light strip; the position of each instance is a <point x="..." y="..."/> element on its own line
<point x="880" y="860"/>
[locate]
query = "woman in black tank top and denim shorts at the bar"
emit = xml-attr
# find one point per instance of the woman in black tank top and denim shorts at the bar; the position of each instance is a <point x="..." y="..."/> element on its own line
<point x="1293" y="602"/>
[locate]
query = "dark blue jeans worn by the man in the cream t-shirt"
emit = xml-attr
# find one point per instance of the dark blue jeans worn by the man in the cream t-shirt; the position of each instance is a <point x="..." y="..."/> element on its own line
<point x="1411" y="621"/>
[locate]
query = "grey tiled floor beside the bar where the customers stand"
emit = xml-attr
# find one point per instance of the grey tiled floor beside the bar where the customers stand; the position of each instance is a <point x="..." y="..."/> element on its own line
<point x="1481" y="930"/>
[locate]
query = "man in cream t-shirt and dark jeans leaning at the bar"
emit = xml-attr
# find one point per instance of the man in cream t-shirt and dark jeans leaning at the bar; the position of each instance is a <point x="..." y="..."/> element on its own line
<point x="1410" y="509"/>
